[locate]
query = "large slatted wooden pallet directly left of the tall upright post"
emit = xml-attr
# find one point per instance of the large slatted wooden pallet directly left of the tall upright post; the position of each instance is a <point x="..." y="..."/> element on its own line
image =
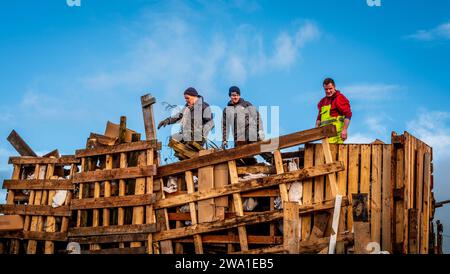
<point x="114" y="205"/>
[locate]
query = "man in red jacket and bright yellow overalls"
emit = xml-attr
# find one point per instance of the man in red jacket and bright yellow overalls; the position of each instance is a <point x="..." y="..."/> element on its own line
<point x="334" y="109"/>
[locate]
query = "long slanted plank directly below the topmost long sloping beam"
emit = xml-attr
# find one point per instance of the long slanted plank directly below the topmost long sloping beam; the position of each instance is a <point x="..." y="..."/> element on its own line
<point x="250" y="185"/>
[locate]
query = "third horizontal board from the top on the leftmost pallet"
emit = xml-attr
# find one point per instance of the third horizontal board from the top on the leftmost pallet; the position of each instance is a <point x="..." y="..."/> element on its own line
<point x="37" y="210"/>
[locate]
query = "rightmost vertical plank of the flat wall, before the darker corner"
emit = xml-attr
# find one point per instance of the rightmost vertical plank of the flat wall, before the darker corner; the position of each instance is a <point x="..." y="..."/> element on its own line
<point x="387" y="200"/>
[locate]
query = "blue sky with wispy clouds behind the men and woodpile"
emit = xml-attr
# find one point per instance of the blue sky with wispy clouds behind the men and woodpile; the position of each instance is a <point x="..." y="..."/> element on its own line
<point x="65" y="71"/>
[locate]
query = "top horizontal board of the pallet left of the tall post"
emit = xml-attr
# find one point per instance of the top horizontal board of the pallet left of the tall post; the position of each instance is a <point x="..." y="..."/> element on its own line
<point x="126" y="147"/>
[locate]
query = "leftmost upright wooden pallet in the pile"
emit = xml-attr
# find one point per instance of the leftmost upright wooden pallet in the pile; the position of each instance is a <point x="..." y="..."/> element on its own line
<point x="43" y="224"/>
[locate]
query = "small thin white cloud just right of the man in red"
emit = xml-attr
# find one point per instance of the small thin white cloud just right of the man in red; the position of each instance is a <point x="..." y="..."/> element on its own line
<point x="371" y="92"/>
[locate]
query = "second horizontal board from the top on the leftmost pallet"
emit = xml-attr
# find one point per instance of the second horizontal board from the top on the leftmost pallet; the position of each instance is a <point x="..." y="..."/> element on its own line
<point x="38" y="184"/>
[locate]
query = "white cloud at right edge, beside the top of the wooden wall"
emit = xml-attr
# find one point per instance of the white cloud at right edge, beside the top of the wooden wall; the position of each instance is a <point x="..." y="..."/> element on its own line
<point x="434" y="129"/>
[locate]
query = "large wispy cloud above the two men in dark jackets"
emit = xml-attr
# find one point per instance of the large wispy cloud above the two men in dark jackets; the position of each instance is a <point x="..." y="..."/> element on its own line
<point x="173" y="53"/>
